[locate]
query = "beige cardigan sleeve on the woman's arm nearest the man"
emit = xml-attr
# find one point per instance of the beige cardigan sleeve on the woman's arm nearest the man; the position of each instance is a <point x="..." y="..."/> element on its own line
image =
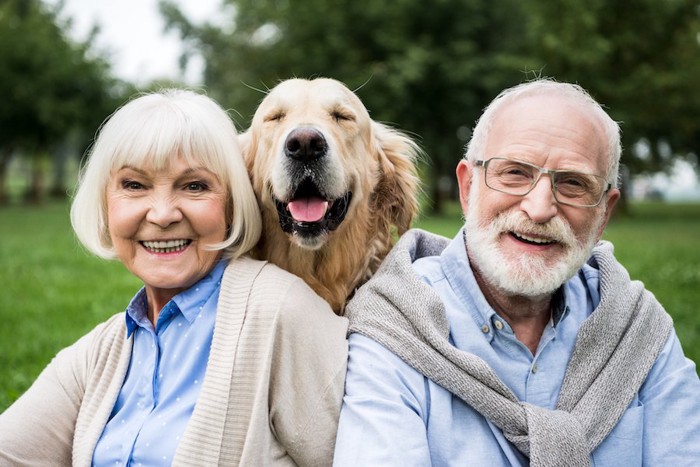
<point x="307" y="376"/>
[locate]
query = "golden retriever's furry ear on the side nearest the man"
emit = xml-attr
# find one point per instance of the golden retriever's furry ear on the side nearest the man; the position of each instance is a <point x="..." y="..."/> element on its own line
<point x="399" y="185"/>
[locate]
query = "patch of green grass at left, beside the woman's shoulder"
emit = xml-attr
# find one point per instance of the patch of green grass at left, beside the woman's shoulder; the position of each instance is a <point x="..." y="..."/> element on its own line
<point x="52" y="292"/>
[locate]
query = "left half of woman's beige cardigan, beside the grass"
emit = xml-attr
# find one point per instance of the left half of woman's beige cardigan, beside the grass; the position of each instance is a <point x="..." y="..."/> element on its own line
<point x="46" y="425"/>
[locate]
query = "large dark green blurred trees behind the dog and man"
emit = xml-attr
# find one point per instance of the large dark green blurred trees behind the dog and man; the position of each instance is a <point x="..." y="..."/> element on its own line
<point x="430" y="68"/>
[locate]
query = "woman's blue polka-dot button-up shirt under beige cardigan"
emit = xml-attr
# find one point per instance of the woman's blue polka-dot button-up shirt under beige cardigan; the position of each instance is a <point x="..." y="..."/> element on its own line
<point x="164" y="377"/>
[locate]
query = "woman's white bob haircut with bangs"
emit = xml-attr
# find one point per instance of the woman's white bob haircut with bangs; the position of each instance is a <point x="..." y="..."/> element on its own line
<point x="150" y="131"/>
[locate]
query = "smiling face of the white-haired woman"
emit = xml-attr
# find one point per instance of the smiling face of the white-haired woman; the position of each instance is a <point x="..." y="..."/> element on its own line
<point x="161" y="223"/>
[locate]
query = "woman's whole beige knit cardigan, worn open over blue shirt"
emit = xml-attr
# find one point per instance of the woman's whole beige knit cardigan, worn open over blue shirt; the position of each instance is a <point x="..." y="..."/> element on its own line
<point x="271" y="394"/>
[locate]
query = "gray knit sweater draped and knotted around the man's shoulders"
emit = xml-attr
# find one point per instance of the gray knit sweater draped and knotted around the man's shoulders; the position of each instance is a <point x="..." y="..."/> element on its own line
<point x="615" y="349"/>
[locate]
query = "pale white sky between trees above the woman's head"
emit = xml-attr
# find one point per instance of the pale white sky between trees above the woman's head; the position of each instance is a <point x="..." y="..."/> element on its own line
<point x="132" y="32"/>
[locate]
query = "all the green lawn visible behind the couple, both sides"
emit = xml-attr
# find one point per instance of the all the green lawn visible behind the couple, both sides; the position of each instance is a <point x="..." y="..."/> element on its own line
<point x="54" y="292"/>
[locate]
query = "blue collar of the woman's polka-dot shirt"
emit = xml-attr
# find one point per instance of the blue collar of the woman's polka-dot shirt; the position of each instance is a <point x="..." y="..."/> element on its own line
<point x="188" y="302"/>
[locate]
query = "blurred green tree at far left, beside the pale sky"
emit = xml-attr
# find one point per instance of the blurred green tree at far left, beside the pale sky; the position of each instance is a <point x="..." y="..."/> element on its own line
<point x="55" y="89"/>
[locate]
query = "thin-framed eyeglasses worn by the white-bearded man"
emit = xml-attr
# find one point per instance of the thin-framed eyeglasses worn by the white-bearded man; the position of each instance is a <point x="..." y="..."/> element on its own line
<point x="519" y="178"/>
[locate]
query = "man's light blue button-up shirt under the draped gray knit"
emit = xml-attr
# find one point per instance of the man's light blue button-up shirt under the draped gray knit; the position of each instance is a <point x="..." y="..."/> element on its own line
<point x="393" y="415"/>
